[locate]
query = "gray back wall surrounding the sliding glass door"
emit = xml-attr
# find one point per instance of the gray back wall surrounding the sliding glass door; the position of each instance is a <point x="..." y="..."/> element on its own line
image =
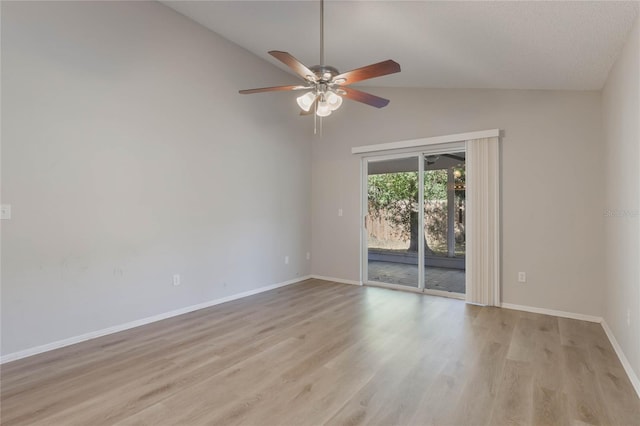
<point x="552" y="189"/>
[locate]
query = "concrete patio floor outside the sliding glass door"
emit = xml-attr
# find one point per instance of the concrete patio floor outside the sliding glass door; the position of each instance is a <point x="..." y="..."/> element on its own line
<point x="444" y="279"/>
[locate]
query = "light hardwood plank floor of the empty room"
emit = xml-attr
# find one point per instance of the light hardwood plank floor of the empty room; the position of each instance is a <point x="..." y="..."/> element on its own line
<point x="324" y="353"/>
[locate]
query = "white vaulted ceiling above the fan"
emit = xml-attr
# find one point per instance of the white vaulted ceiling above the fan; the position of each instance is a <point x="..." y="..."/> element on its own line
<point x="476" y="44"/>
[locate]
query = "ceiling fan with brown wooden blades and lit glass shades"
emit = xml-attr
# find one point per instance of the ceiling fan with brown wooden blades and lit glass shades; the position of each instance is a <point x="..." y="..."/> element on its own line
<point x="325" y="85"/>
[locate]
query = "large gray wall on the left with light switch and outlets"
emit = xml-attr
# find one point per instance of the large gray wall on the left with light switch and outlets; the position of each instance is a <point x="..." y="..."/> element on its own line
<point x="128" y="156"/>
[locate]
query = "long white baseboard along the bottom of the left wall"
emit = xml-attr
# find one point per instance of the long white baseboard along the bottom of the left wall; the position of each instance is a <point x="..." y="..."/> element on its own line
<point x="137" y="323"/>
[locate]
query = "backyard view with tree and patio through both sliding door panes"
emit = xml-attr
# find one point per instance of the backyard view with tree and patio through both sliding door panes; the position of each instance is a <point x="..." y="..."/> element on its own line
<point x="393" y="224"/>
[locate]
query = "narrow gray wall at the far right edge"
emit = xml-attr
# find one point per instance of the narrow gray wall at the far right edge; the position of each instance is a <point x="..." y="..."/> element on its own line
<point x="621" y="112"/>
